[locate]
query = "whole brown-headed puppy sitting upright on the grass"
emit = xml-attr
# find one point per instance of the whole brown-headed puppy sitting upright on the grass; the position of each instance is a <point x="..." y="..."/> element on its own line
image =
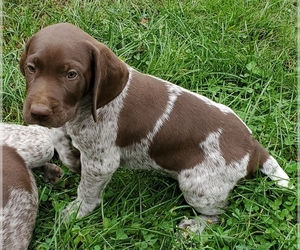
<point x="116" y="115"/>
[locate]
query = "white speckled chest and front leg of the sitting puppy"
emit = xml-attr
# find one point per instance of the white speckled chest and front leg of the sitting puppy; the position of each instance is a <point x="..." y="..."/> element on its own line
<point x="98" y="164"/>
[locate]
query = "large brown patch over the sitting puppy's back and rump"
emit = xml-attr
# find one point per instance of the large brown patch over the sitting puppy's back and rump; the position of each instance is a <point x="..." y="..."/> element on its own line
<point x="176" y="145"/>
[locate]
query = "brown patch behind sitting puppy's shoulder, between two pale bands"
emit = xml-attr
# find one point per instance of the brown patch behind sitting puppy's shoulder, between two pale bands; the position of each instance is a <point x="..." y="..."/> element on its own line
<point x="145" y="102"/>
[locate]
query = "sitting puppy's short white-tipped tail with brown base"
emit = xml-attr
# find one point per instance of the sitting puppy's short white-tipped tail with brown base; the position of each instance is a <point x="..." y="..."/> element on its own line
<point x="270" y="167"/>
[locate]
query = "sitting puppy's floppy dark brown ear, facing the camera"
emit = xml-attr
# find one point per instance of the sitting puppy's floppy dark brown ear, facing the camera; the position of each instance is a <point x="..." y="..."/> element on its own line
<point x="110" y="75"/>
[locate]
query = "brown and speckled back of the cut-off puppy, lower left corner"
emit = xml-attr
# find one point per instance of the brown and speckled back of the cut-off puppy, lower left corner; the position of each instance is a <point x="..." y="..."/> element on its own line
<point x="20" y="201"/>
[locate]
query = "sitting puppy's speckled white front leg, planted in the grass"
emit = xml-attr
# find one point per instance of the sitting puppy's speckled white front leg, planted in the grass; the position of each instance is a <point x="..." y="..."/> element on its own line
<point x="95" y="174"/>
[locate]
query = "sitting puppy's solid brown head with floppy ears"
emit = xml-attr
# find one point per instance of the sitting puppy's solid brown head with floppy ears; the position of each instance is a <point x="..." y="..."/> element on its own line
<point x="62" y="64"/>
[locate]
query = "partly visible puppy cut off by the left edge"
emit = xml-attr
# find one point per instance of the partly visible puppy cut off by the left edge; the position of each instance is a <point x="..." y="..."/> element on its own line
<point x="23" y="148"/>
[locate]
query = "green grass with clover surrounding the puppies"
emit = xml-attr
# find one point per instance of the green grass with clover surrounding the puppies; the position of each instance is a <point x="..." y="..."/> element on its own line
<point x="241" y="53"/>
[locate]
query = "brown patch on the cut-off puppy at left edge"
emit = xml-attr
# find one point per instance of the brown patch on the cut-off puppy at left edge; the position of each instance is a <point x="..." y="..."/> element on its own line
<point x="15" y="173"/>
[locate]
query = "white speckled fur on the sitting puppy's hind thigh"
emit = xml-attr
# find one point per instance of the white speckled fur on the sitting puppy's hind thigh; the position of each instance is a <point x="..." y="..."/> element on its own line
<point x="212" y="179"/>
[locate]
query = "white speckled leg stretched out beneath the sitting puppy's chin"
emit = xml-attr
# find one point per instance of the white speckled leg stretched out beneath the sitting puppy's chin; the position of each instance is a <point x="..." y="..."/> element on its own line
<point x="36" y="144"/>
